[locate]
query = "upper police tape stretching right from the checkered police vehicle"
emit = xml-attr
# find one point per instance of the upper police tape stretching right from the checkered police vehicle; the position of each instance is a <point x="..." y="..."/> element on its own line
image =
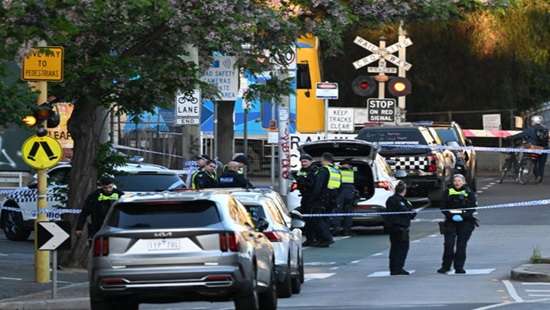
<point x="465" y="148"/>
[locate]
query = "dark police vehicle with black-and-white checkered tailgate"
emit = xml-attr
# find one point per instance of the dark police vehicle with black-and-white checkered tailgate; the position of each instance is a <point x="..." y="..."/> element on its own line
<point x="407" y="150"/>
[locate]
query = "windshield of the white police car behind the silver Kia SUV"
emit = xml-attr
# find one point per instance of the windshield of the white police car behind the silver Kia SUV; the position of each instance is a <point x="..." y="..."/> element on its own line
<point x="147" y="182"/>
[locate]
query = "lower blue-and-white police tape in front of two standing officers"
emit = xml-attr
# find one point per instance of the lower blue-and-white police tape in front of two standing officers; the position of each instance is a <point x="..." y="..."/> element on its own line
<point x="531" y="203"/>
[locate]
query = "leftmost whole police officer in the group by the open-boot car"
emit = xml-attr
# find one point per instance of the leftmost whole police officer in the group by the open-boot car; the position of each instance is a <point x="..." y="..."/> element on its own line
<point x="305" y="179"/>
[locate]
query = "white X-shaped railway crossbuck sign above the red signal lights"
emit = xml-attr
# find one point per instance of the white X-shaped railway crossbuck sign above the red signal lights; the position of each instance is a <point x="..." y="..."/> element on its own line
<point x="382" y="55"/>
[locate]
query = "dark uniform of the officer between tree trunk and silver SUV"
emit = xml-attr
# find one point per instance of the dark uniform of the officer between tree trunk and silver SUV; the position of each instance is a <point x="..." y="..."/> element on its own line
<point x="97" y="205"/>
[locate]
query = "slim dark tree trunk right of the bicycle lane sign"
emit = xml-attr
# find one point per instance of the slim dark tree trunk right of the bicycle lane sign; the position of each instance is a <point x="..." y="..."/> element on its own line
<point x="226" y="135"/>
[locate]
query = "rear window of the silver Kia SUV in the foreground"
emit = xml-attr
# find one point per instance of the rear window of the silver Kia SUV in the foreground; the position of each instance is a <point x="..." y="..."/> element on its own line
<point x="180" y="215"/>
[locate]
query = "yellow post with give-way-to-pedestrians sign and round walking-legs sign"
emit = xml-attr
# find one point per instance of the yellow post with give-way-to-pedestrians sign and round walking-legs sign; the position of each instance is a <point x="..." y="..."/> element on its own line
<point x="40" y="65"/>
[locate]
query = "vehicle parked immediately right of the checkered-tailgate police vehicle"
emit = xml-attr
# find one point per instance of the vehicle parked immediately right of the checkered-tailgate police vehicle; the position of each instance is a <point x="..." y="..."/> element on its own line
<point x="452" y="135"/>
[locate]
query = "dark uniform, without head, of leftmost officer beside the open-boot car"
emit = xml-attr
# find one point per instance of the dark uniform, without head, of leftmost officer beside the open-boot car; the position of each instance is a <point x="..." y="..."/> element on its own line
<point x="305" y="179"/>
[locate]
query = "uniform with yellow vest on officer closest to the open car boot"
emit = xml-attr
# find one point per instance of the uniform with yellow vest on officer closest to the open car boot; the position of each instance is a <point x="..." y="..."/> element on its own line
<point x="346" y="197"/>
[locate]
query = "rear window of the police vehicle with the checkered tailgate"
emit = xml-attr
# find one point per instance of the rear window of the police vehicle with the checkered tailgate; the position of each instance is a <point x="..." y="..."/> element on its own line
<point x="392" y="136"/>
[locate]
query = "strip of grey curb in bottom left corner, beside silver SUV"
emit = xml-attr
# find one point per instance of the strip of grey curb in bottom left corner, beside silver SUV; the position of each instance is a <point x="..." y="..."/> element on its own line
<point x="58" y="304"/>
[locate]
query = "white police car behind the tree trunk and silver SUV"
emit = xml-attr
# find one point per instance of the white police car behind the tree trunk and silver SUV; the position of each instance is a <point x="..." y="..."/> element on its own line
<point x="18" y="207"/>
